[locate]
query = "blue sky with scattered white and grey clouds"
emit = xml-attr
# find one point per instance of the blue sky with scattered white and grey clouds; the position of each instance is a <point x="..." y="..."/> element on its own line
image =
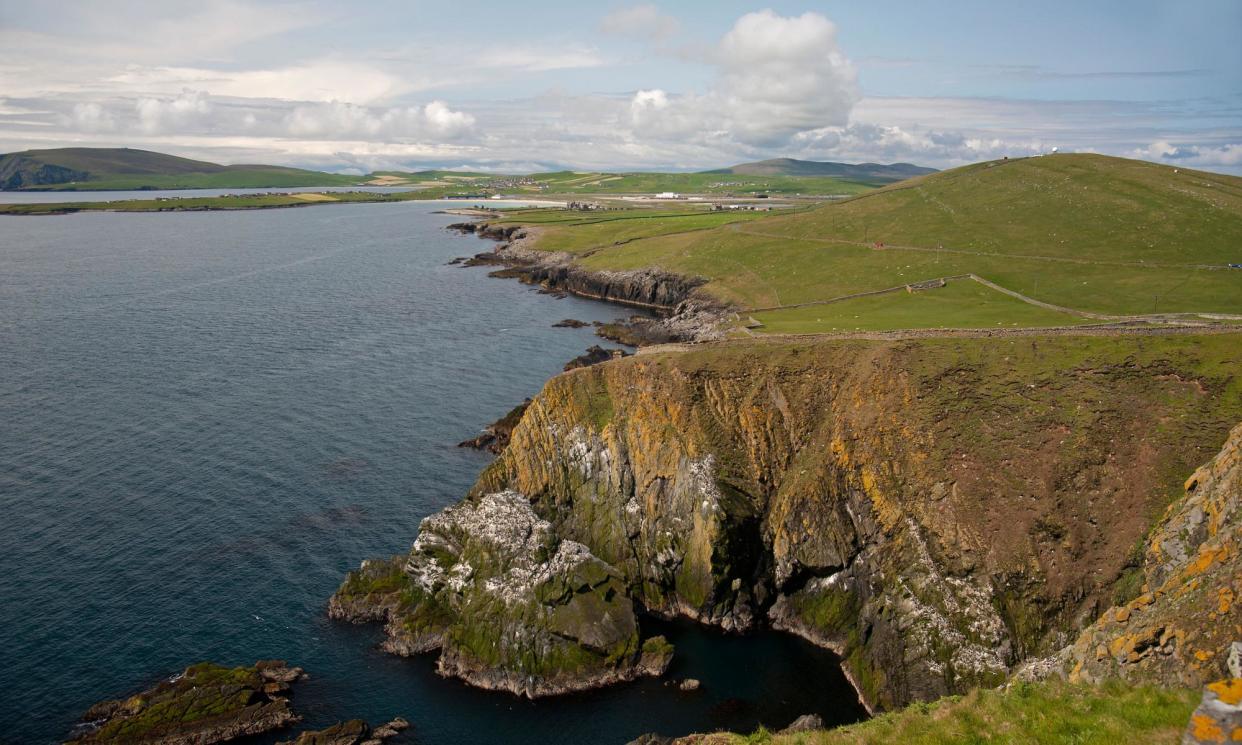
<point x="651" y="86"/>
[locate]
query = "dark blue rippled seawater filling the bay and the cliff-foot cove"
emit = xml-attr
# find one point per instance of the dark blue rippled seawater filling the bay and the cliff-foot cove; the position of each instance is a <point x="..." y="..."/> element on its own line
<point x="207" y="419"/>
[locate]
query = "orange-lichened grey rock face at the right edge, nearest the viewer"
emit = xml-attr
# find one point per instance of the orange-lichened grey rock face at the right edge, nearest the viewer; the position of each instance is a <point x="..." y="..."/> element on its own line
<point x="1181" y="628"/>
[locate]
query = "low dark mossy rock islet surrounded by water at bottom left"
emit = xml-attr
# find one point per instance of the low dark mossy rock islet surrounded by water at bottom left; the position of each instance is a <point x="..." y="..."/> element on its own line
<point x="206" y="705"/>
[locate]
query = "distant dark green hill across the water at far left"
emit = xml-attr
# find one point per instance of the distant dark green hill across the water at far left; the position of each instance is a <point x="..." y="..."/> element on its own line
<point x="125" y="168"/>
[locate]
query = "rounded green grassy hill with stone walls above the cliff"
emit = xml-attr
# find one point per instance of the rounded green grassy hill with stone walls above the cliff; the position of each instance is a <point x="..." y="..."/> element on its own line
<point x="1082" y="237"/>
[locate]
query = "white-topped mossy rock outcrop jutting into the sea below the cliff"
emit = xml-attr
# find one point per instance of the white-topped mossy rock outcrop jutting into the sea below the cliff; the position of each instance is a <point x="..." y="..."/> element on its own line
<point x="509" y="604"/>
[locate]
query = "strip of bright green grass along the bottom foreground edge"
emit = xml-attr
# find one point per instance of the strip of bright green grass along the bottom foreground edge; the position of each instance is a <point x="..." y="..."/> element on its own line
<point x="1024" y="715"/>
